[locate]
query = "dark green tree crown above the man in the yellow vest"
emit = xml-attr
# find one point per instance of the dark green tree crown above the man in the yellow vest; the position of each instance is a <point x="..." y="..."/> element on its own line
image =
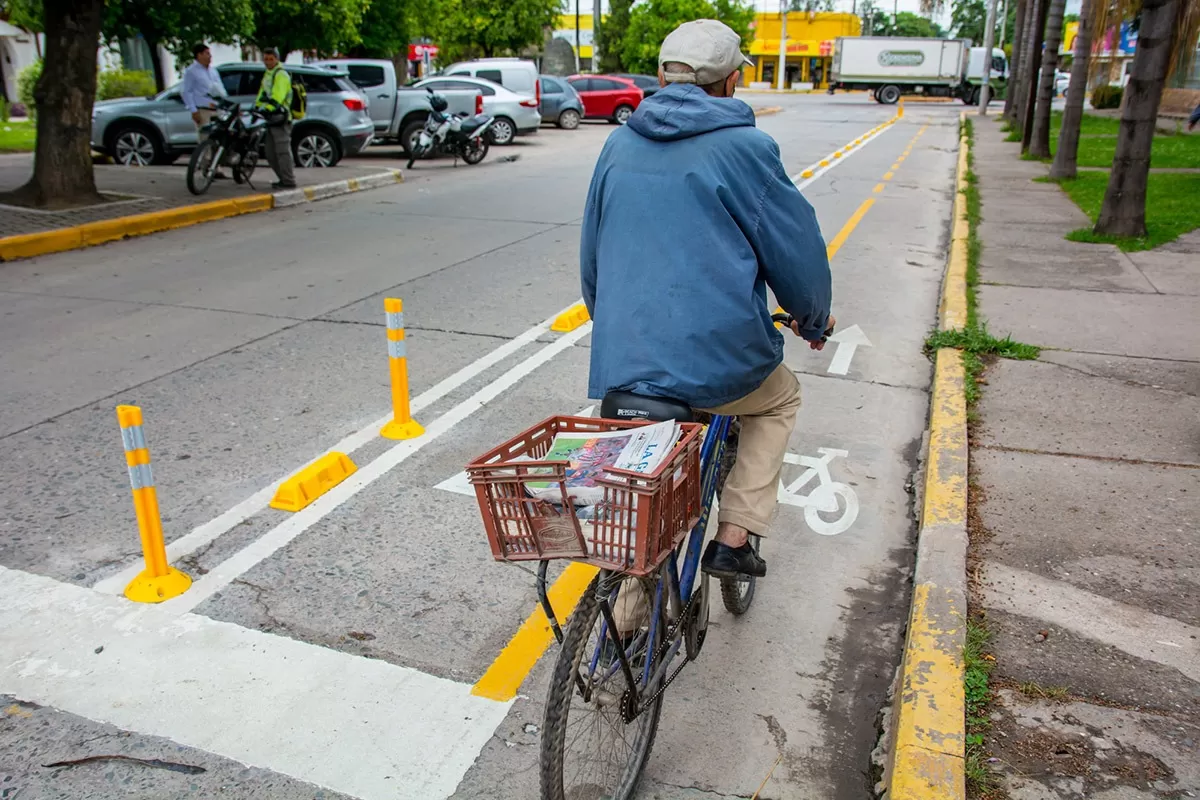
<point x="321" y="27"/>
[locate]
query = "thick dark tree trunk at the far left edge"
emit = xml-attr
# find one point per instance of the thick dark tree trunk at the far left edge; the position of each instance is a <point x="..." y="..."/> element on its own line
<point x="63" y="173"/>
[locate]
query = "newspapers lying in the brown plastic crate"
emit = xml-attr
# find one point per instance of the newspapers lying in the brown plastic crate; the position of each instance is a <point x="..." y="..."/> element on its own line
<point x="589" y="455"/>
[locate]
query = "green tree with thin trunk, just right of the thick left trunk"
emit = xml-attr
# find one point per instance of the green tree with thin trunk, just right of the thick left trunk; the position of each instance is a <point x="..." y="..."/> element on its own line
<point x="177" y="26"/>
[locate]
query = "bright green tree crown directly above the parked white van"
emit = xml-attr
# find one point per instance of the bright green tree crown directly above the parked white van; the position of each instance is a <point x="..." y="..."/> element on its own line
<point x="485" y="28"/>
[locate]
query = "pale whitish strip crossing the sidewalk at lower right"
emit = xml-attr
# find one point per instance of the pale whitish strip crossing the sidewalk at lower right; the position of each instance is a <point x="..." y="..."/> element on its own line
<point x="1126" y="628"/>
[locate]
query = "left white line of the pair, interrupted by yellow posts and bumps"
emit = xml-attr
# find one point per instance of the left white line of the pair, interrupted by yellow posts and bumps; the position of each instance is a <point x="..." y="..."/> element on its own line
<point x="218" y="527"/>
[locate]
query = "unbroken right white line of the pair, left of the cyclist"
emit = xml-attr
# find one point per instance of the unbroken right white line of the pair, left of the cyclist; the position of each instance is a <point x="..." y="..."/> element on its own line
<point x="279" y="537"/>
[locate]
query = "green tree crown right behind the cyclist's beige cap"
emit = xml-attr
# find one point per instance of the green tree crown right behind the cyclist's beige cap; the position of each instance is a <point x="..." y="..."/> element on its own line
<point x="652" y="21"/>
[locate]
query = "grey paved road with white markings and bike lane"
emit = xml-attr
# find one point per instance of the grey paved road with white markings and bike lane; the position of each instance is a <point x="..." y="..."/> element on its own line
<point x="332" y="653"/>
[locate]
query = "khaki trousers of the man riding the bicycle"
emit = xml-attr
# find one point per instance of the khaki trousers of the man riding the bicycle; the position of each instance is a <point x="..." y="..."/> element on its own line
<point x="749" y="498"/>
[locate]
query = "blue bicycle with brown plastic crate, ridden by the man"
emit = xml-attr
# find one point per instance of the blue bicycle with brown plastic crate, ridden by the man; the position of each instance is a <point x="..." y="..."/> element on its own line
<point x="610" y="679"/>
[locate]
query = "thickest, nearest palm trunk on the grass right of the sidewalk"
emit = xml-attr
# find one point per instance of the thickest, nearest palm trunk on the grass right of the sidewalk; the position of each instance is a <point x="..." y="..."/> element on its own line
<point x="1124" y="213"/>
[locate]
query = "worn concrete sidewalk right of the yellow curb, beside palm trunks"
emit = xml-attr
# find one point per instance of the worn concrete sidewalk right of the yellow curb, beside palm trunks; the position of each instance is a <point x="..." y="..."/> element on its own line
<point x="1085" y="527"/>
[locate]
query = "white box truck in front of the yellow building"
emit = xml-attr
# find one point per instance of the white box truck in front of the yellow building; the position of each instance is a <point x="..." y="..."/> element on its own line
<point x="895" y="67"/>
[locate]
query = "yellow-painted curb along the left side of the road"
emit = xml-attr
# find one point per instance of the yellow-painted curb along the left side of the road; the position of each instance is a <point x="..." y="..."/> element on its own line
<point x="140" y="225"/>
